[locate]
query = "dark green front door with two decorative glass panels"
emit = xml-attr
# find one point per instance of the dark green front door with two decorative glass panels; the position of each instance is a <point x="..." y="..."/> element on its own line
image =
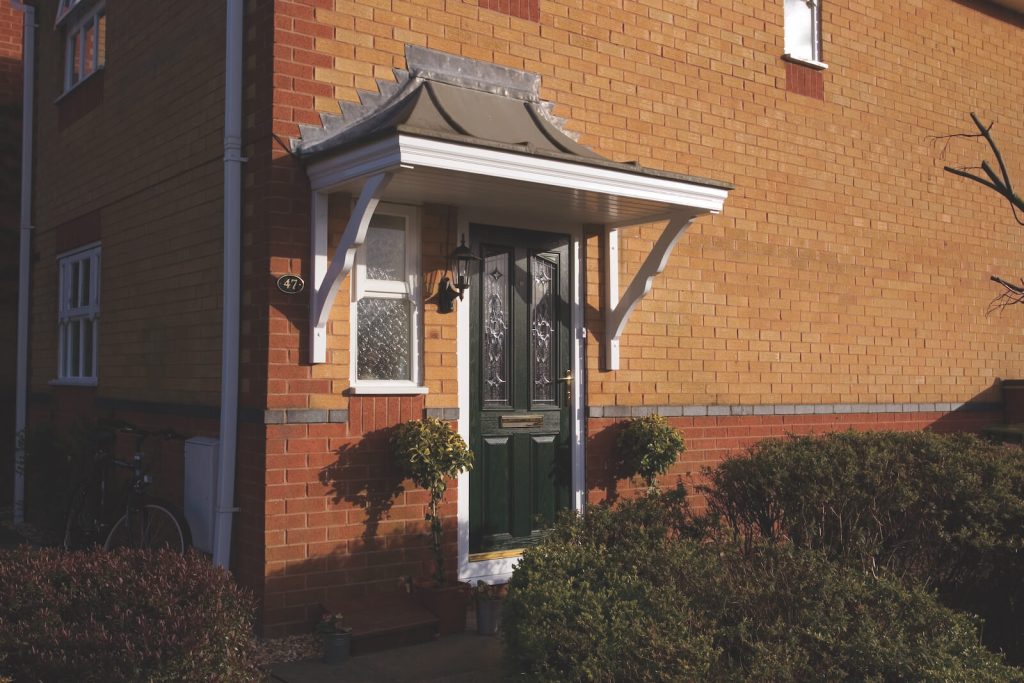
<point x="521" y="424"/>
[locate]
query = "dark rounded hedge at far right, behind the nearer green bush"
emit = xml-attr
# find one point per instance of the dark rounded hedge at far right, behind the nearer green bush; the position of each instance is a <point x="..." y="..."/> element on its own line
<point x="946" y="511"/>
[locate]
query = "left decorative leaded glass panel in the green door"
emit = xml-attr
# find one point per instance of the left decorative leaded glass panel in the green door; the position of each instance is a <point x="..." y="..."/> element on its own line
<point x="496" y="329"/>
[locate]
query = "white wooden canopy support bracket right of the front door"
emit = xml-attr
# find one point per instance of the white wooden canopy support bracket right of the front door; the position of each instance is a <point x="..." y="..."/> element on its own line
<point x="620" y="309"/>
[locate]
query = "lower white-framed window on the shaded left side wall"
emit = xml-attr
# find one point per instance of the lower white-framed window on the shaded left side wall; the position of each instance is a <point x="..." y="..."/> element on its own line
<point x="78" y="316"/>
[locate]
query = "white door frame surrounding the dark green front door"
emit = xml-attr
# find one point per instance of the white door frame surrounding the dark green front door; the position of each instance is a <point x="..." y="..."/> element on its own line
<point x="500" y="571"/>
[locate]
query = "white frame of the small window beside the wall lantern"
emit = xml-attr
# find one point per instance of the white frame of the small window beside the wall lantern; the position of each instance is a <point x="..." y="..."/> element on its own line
<point x="411" y="290"/>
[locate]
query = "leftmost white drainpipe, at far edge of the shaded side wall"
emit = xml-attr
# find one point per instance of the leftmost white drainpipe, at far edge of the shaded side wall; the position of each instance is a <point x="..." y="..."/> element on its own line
<point x="25" y="255"/>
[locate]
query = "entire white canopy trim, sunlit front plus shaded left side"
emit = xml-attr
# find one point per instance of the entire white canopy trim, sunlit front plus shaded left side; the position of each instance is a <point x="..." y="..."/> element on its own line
<point x="419" y="152"/>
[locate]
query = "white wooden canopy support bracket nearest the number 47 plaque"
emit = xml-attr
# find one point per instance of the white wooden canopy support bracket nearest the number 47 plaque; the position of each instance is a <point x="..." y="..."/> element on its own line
<point x="325" y="290"/>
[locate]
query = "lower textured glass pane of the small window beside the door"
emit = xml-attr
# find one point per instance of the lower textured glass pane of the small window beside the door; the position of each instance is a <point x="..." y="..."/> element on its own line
<point x="383" y="331"/>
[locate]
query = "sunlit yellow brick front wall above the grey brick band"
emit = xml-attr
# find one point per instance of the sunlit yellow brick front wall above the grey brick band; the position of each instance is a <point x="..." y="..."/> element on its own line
<point x="847" y="267"/>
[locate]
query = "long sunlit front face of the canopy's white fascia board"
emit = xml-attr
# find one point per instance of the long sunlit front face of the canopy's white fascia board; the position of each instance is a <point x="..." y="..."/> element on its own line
<point x="554" y="173"/>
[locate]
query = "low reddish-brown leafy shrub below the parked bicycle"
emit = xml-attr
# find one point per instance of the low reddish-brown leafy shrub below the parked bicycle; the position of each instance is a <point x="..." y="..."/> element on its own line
<point x="127" y="616"/>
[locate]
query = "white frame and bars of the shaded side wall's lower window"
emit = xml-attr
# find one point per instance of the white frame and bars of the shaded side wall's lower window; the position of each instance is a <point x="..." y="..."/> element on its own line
<point x="74" y="313"/>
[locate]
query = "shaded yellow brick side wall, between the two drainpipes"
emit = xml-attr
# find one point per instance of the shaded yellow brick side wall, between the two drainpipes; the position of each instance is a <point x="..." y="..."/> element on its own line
<point x="149" y="159"/>
